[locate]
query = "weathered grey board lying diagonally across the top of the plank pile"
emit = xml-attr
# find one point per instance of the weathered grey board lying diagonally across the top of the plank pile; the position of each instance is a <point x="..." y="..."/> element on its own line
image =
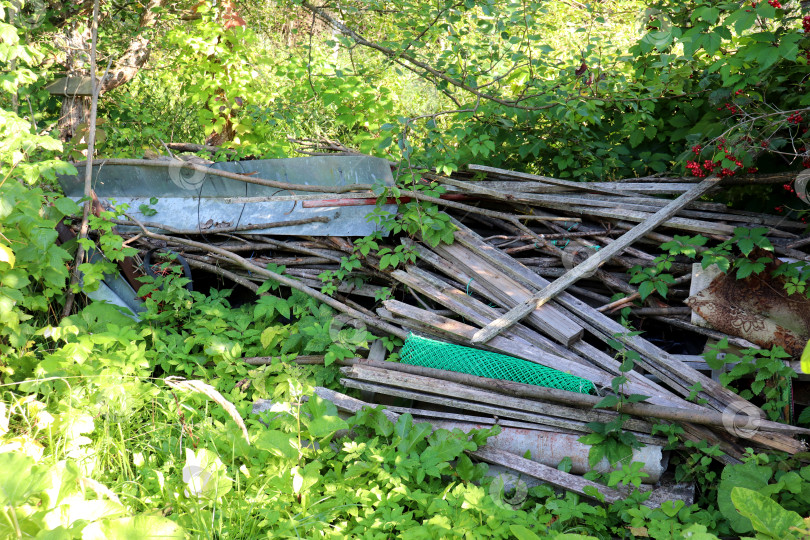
<point x="593" y="262"/>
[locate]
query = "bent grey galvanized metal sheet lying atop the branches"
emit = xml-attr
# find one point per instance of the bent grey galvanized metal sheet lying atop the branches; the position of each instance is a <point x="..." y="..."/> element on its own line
<point x="189" y="199"/>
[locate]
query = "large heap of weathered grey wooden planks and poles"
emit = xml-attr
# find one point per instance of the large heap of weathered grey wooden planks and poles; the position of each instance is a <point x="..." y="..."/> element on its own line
<point x="531" y="273"/>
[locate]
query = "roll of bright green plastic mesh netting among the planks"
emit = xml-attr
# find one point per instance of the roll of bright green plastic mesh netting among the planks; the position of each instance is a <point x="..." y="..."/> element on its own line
<point x="420" y="351"/>
